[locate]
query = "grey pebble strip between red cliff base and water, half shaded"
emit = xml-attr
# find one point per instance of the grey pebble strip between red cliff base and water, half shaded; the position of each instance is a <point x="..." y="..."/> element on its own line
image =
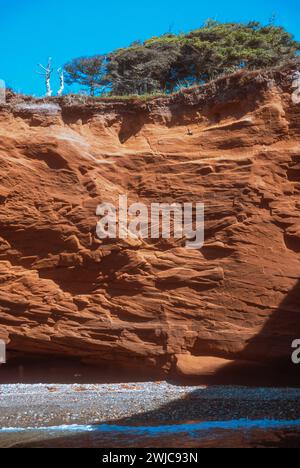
<point x="26" y="406"/>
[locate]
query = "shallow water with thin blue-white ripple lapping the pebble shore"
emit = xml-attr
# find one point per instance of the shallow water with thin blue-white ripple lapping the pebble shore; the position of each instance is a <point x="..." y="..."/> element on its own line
<point x="234" y="433"/>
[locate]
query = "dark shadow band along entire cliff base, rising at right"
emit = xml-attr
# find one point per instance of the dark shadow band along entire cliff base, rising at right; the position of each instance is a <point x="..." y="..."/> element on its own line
<point x="268" y="353"/>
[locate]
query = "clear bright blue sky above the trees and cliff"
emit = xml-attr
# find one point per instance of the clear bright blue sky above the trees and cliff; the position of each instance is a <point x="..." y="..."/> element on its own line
<point x="33" y="30"/>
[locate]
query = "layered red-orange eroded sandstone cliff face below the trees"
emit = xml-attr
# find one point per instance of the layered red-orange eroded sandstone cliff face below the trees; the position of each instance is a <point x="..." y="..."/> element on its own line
<point x="235" y="145"/>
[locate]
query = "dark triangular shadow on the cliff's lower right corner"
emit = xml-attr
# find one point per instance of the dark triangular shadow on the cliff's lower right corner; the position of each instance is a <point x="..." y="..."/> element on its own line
<point x="269" y="353"/>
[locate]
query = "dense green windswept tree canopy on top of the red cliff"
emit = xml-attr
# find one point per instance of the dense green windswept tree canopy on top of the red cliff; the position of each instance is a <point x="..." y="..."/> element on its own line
<point x="164" y="63"/>
